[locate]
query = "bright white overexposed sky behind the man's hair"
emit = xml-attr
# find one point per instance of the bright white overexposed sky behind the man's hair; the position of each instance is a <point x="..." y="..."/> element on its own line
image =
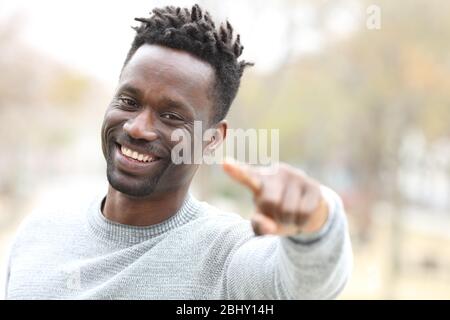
<point x="94" y="36"/>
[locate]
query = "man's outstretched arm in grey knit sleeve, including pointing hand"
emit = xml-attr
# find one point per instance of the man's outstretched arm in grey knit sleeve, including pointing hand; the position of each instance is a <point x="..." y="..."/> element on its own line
<point x="306" y="250"/>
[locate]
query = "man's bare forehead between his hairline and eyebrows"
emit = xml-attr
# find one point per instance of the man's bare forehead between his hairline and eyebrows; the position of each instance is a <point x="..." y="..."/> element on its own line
<point x="156" y="69"/>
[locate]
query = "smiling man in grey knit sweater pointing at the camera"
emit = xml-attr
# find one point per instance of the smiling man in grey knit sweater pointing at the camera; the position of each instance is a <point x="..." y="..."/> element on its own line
<point x="149" y="238"/>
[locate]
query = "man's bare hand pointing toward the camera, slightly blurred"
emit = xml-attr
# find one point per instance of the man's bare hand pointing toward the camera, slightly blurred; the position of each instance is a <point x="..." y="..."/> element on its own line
<point x="288" y="202"/>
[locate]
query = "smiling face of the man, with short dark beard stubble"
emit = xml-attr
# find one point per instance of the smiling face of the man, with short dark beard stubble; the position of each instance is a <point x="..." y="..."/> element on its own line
<point x="160" y="90"/>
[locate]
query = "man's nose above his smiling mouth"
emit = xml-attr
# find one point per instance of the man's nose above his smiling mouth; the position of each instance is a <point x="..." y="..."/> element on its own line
<point x="141" y="126"/>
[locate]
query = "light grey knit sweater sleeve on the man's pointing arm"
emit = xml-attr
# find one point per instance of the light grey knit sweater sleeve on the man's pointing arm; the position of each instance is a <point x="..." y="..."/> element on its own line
<point x="310" y="266"/>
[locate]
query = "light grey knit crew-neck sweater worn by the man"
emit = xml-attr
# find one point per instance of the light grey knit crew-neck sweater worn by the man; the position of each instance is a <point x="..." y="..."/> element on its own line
<point x="200" y="252"/>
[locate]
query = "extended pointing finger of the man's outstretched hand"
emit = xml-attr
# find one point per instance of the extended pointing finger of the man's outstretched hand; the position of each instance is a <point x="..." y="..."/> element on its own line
<point x="243" y="174"/>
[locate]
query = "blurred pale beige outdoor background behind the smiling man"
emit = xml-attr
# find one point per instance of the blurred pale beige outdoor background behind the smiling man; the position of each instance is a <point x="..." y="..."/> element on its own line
<point x="360" y="91"/>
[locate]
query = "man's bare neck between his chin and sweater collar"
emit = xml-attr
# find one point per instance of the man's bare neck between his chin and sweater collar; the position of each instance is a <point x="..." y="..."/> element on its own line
<point x="145" y="211"/>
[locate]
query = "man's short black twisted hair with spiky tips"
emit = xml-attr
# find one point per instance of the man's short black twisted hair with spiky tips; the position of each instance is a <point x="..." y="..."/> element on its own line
<point x="194" y="31"/>
